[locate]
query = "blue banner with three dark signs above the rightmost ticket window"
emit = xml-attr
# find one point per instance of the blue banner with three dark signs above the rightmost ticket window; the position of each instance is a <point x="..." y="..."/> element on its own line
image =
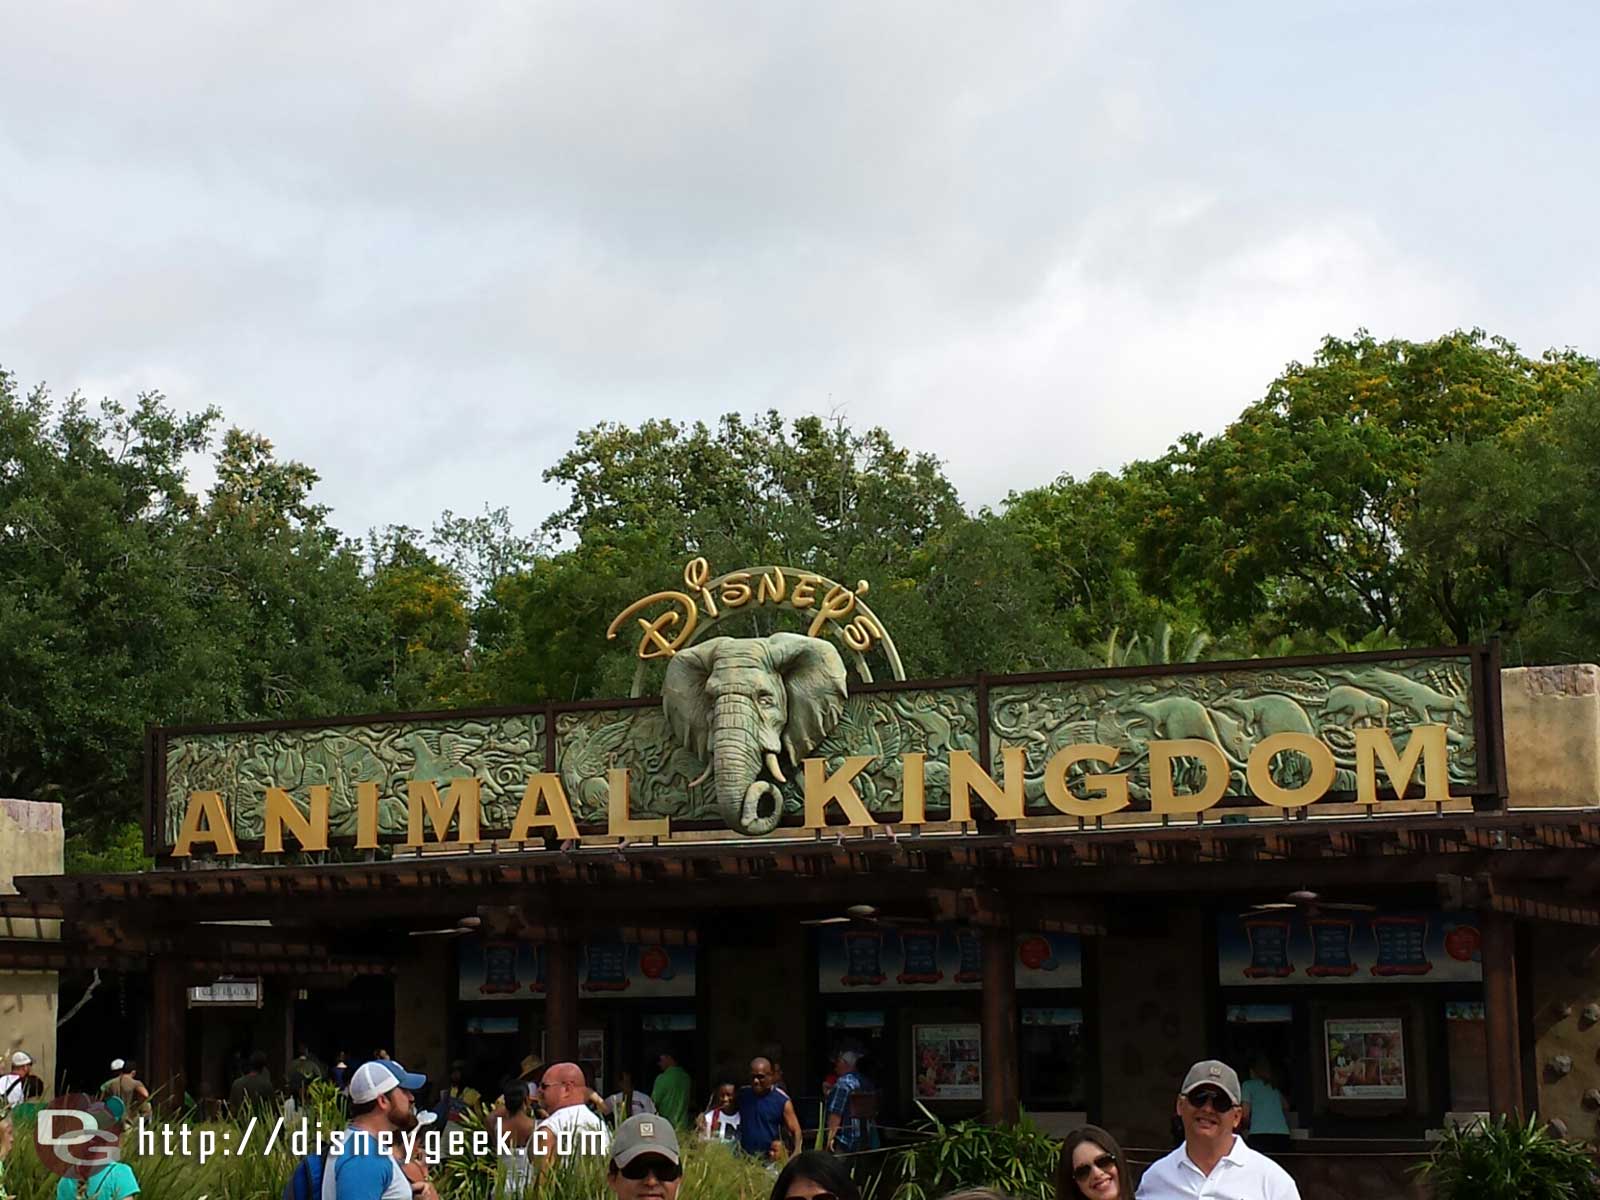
<point x="1338" y="946"/>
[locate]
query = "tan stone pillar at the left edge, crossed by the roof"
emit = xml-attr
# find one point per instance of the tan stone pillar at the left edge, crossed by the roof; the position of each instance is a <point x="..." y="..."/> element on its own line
<point x="31" y="844"/>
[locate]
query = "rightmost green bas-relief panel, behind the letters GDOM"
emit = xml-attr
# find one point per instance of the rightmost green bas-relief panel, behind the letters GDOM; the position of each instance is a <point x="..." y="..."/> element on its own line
<point x="1236" y="710"/>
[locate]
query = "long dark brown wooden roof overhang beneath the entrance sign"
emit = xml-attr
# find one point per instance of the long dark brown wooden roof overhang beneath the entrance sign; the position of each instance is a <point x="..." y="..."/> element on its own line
<point x="324" y="916"/>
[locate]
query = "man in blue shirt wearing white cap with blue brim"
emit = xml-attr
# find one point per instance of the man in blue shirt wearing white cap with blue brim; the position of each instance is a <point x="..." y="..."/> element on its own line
<point x="383" y="1102"/>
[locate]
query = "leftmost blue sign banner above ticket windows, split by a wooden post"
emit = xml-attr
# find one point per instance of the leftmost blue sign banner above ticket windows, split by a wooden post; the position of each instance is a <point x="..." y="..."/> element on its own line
<point x="514" y="970"/>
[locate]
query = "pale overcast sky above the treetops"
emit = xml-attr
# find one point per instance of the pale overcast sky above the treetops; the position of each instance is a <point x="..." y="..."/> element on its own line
<point x="420" y="246"/>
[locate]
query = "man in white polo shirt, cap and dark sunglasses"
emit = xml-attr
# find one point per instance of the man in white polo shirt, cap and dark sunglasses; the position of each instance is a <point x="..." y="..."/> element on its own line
<point x="1214" y="1162"/>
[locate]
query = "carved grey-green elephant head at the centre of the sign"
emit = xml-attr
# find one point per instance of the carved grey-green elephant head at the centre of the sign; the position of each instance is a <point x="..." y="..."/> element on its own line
<point x="742" y="702"/>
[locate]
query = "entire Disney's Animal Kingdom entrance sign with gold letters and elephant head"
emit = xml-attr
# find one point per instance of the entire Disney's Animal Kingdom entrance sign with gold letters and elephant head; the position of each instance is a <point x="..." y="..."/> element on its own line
<point x="777" y="734"/>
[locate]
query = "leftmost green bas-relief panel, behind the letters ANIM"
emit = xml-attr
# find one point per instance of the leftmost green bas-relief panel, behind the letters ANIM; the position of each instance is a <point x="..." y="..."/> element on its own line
<point x="498" y="751"/>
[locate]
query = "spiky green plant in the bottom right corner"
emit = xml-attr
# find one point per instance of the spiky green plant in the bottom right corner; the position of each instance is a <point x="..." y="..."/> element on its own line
<point x="1508" y="1159"/>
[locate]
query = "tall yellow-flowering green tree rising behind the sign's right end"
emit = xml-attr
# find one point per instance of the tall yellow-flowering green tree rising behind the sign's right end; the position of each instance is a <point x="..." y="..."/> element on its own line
<point x="1295" y="516"/>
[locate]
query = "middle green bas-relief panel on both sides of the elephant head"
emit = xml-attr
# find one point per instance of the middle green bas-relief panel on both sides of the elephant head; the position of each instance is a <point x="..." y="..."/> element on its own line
<point x="662" y="774"/>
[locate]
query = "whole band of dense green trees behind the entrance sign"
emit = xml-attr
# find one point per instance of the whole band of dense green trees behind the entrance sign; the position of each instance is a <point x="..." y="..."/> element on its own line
<point x="1385" y="494"/>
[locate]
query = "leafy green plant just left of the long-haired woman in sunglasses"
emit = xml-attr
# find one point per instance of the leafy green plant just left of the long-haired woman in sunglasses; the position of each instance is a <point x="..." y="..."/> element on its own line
<point x="1015" y="1159"/>
